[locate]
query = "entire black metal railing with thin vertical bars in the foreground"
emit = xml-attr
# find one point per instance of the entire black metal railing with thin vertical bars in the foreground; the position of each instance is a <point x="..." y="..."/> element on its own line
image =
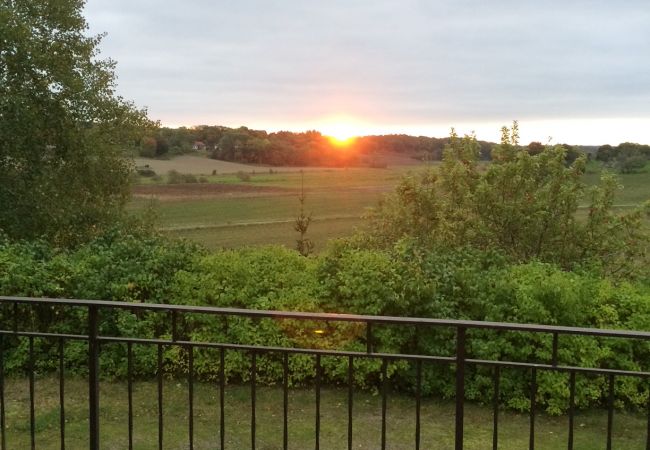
<point x="459" y="360"/>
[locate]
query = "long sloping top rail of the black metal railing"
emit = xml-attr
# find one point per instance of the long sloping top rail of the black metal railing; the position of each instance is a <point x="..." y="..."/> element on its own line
<point x="333" y="317"/>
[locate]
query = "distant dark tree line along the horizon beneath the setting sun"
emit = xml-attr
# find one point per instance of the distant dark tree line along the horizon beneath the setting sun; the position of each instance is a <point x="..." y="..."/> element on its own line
<point x="312" y="148"/>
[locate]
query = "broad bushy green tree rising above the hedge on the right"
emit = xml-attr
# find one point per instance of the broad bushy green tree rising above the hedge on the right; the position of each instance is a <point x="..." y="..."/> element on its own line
<point x="524" y="205"/>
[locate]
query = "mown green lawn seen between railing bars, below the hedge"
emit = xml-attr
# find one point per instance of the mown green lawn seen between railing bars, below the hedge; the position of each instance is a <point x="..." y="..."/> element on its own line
<point x="437" y="419"/>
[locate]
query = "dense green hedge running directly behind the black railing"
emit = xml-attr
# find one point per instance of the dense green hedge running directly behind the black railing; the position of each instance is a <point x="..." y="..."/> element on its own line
<point x="405" y="280"/>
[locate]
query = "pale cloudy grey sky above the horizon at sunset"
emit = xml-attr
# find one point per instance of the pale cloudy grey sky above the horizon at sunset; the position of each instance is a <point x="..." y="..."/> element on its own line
<point x="568" y="71"/>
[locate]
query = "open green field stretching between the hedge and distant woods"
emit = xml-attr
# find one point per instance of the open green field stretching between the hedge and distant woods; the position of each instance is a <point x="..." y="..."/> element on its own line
<point x="336" y="198"/>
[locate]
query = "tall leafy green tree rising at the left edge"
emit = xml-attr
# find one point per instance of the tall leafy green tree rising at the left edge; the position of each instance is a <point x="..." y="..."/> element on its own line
<point x="63" y="130"/>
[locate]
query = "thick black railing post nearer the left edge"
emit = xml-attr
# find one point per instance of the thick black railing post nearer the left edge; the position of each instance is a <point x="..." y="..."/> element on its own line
<point x="93" y="377"/>
